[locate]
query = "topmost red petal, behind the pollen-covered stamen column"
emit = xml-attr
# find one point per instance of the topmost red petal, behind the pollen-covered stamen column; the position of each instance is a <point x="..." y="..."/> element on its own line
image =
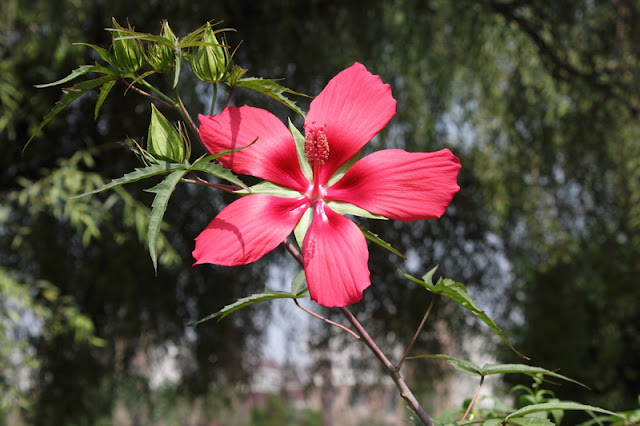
<point x="354" y="106"/>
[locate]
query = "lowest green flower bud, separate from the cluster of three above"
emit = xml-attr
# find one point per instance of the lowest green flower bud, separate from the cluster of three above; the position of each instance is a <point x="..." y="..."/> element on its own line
<point x="164" y="141"/>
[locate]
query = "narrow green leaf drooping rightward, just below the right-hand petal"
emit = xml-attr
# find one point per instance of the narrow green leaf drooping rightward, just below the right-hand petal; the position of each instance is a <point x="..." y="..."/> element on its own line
<point x="458" y="293"/>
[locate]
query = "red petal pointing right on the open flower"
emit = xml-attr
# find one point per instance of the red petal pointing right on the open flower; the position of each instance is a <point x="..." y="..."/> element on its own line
<point x="400" y="185"/>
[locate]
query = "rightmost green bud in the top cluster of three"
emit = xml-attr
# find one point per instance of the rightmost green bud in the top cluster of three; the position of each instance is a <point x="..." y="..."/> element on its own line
<point x="210" y="62"/>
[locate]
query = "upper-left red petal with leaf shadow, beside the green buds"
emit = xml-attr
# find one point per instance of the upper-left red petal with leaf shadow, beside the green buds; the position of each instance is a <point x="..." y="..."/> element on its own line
<point x="273" y="157"/>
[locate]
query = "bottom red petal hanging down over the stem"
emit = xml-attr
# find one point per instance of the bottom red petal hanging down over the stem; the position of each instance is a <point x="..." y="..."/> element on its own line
<point x="335" y="259"/>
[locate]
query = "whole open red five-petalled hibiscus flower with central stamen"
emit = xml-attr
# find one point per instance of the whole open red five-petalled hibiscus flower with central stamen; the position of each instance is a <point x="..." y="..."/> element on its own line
<point x="312" y="189"/>
